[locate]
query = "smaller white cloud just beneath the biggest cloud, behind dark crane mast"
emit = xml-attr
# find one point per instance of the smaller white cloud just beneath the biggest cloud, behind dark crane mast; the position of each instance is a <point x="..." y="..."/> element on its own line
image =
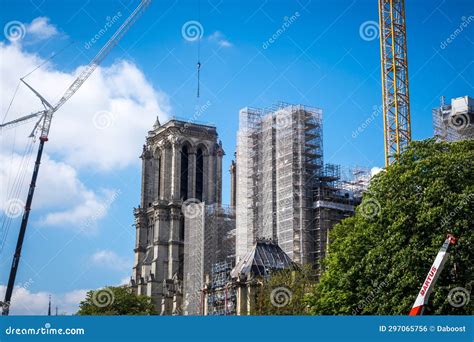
<point x="66" y="199"/>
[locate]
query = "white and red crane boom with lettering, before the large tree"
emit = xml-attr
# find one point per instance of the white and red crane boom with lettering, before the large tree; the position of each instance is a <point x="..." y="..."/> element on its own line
<point x="432" y="277"/>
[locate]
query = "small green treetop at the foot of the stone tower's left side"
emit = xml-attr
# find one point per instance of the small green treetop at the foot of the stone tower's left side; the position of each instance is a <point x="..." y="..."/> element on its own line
<point x="115" y="301"/>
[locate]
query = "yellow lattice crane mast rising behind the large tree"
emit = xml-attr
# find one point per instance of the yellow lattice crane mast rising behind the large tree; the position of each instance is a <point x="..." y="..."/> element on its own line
<point x="394" y="69"/>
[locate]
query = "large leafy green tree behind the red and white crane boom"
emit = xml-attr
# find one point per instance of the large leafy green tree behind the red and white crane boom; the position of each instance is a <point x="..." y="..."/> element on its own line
<point x="379" y="258"/>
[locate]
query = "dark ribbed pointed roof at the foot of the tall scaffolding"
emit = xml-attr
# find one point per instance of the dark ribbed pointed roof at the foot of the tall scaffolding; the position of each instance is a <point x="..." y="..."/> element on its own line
<point x="265" y="257"/>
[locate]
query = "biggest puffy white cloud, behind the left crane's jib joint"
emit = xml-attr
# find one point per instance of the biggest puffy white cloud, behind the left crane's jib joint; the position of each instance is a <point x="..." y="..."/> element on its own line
<point x="102" y="126"/>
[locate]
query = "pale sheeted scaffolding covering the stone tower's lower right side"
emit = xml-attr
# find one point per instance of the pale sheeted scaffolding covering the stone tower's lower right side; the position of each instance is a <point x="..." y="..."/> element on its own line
<point x="209" y="238"/>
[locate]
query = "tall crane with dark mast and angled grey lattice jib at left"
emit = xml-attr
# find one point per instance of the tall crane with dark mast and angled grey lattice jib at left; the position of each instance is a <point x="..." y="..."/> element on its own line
<point x="44" y="125"/>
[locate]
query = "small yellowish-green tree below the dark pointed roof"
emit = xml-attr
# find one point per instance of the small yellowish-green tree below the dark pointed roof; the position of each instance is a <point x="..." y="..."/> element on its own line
<point x="283" y="293"/>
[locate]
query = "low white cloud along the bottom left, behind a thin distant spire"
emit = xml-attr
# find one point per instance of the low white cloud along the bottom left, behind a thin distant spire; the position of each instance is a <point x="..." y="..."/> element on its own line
<point x="25" y="302"/>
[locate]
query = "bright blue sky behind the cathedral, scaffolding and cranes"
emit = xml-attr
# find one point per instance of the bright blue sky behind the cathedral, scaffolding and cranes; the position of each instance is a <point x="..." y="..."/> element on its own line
<point x="322" y="60"/>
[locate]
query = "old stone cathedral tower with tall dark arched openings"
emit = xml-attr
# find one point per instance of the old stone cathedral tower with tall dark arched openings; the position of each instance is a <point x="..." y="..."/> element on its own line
<point x="181" y="162"/>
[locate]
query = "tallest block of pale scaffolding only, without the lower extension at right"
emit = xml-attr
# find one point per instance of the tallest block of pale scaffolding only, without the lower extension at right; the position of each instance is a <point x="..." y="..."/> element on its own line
<point x="279" y="155"/>
